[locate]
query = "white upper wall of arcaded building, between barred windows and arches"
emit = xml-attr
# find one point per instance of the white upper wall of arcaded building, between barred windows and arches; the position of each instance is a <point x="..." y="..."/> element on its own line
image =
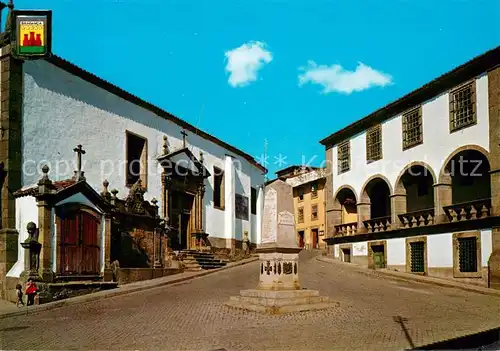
<point x="438" y="142"/>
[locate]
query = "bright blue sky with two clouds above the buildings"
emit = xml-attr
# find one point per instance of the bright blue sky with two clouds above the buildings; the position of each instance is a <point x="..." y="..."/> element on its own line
<point x="234" y="68"/>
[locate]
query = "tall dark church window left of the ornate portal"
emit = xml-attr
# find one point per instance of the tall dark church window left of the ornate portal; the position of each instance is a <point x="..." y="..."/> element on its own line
<point x="136" y="159"/>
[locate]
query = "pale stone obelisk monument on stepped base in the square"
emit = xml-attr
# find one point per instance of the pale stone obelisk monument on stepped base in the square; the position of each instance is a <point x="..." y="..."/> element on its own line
<point x="279" y="289"/>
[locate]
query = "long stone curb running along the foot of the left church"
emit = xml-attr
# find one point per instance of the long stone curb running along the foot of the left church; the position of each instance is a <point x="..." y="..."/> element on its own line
<point x="125" y="289"/>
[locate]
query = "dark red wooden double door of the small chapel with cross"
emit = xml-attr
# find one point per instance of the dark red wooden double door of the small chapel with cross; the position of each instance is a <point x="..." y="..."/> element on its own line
<point x="79" y="252"/>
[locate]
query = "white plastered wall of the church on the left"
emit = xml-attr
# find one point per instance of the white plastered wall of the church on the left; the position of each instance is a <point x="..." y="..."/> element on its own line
<point x="62" y="110"/>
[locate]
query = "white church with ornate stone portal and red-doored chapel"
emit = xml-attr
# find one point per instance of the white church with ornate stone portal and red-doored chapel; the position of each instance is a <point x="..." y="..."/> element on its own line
<point x="78" y="154"/>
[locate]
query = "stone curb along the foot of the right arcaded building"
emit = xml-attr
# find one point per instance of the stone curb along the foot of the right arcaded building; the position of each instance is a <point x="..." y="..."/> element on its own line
<point x="413" y="278"/>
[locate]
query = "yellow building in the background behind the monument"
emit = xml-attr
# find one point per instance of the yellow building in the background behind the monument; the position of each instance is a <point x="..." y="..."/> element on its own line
<point x="309" y="204"/>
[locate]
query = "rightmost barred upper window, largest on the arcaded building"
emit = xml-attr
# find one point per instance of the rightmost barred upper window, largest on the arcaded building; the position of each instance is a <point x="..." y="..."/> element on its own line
<point x="463" y="107"/>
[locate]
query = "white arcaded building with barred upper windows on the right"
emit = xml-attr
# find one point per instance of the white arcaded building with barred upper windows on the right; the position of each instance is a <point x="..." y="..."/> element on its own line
<point x="414" y="187"/>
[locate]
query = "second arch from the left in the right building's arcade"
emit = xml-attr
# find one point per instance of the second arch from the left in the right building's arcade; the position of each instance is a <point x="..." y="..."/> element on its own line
<point x="375" y="197"/>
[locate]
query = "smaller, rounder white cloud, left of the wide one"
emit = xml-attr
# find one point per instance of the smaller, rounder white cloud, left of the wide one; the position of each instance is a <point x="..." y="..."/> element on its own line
<point x="244" y="62"/>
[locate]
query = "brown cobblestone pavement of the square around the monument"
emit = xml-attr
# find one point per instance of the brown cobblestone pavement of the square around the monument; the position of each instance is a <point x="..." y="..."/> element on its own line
<point x="191" y="316"/>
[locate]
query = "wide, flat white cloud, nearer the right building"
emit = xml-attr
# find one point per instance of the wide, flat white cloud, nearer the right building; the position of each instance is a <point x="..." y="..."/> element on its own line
<point x="335" y="78"/>
